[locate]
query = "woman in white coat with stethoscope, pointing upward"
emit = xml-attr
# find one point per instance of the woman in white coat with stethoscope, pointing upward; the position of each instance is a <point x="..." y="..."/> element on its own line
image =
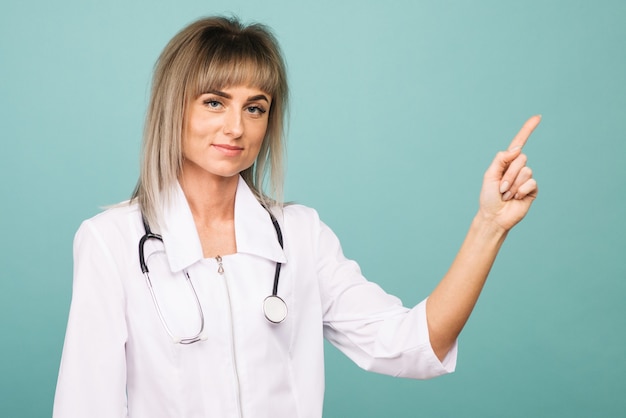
<point x="200" y="337"/>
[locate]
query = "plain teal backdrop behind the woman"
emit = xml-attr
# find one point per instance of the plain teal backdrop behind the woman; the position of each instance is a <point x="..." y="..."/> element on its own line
<point x="397" y="109"/>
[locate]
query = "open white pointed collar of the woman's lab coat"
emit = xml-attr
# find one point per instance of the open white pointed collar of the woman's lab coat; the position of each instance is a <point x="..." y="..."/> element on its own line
<point x="254" y="232"/>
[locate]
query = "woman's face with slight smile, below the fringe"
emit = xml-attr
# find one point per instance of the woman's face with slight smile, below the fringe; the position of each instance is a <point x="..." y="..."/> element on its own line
<point x="224" y="130"/>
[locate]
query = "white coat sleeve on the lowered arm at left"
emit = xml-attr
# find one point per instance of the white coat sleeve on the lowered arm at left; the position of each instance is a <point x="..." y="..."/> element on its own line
<point x="92" y="375"/>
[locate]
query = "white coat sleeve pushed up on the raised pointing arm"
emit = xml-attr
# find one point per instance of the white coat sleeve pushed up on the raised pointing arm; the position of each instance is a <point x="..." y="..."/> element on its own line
<point x="370" y="326"/>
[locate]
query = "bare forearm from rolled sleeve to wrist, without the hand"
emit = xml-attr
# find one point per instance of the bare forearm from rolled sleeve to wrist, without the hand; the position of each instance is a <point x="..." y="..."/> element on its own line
<point x="451" y="302"/>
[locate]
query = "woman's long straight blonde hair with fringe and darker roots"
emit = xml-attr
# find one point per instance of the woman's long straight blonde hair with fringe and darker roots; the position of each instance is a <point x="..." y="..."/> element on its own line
<point x="210" y="54"/>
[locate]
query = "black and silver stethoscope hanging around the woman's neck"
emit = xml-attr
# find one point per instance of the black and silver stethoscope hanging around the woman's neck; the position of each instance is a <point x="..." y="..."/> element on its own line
<point x="274" y="308"/>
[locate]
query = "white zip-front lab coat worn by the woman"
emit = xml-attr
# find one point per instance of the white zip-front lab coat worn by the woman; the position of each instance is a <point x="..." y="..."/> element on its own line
<point x="118" y="361"/>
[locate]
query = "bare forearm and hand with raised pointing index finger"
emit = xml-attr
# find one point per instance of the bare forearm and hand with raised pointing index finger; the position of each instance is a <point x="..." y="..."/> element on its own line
<point x="507" y="193"/>
